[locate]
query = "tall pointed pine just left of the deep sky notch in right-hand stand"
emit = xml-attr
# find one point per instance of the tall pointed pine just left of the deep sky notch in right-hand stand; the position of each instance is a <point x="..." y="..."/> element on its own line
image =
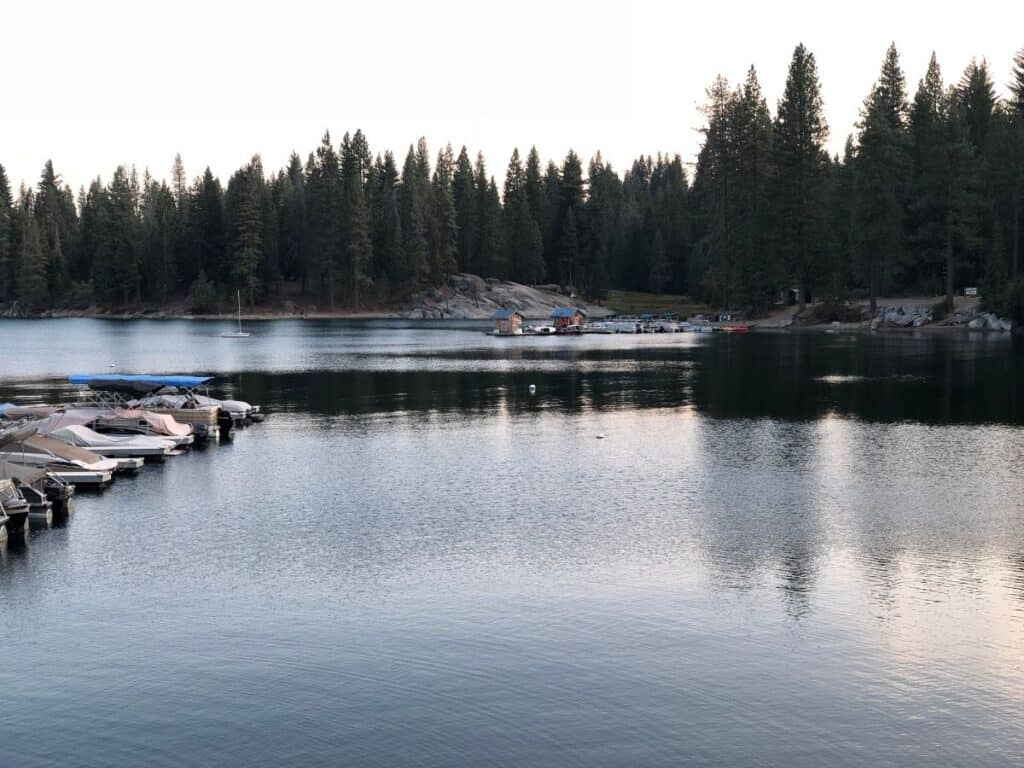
<point x="800" y="182"/>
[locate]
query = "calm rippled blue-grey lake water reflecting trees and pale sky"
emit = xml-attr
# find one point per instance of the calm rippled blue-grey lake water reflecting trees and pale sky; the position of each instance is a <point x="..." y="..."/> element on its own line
<point x="791" y="550"/>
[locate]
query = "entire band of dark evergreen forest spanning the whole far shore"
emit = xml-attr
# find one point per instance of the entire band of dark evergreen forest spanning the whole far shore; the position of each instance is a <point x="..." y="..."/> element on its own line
<point x="926" y="198"/>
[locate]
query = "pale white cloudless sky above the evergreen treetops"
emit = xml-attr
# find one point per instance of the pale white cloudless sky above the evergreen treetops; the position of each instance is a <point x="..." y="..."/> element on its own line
<point x="95" y="84"/>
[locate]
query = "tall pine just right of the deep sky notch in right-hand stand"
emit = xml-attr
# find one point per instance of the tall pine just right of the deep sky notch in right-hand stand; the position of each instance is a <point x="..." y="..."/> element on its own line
<point x="883" y="170"/>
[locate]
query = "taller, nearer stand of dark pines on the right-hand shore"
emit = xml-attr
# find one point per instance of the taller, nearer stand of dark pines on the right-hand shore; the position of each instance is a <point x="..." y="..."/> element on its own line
<point x="925" y="199"/>
